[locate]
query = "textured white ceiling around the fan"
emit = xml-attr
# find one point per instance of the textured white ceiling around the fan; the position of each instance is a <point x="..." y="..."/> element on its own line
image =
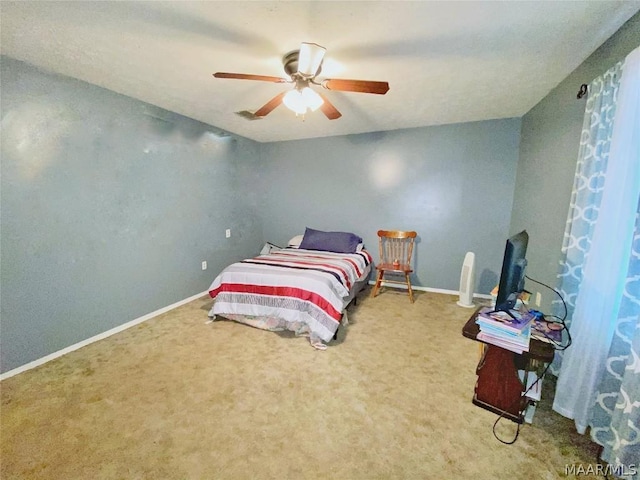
<point x="446" y="62"/>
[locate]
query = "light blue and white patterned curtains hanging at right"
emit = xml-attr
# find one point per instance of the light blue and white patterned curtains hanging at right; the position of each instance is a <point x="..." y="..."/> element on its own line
<point x="599" y="375"/>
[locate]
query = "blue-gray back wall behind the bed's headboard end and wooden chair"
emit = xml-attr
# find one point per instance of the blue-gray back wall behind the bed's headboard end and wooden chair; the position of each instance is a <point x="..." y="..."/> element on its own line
<point x="453" y="184"/>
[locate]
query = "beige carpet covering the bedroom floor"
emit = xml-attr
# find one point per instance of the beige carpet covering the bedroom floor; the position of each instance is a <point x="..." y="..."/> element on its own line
<point x="176" y="398"/>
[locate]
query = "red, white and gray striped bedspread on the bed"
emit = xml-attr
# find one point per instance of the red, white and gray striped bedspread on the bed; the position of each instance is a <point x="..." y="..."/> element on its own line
<point x="297" y="285"/>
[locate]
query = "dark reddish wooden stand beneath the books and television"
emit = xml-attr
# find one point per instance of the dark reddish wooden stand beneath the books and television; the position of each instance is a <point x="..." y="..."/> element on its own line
<point x="498" y="388"/>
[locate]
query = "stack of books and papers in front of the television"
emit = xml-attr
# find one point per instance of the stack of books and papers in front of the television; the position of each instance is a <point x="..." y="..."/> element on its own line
<point x="511" y="332"/>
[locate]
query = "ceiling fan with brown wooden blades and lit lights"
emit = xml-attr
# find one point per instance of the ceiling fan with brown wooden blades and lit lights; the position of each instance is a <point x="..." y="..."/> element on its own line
<point x="303" y="66"/>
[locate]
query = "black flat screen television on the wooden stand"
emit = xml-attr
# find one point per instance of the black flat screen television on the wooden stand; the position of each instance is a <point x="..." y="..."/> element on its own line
<point x="514" y="263"/>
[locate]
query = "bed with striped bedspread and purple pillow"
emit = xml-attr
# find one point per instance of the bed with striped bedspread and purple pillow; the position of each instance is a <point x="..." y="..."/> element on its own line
<point x="304" y="288"/>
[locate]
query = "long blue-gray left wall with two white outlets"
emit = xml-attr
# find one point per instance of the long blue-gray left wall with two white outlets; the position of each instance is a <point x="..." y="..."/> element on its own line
<point x="109" y="206"/>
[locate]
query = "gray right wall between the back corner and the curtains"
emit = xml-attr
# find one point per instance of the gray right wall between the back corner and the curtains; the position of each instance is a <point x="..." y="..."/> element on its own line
<point x="547" y="161"/>
